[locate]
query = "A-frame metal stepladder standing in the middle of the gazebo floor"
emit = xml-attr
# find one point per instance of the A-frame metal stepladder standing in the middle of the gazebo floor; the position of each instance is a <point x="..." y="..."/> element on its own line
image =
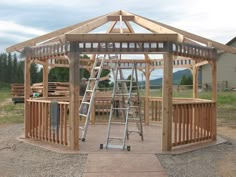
<point x="130" y="108"/>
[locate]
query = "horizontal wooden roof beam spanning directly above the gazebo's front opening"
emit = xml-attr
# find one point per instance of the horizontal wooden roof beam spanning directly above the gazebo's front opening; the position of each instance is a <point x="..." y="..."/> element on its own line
<point x="121" y="37"/>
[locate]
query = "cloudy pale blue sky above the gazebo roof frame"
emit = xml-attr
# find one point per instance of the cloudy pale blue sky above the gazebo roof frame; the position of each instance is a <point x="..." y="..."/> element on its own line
<point x="24" y="19"/>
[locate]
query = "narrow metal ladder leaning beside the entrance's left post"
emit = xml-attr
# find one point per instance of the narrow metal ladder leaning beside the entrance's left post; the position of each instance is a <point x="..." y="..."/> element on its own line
<point x="88" y="98"/>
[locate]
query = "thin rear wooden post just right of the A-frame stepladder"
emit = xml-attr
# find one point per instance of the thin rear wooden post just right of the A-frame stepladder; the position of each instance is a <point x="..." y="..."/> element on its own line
<point x="147" y="91"/>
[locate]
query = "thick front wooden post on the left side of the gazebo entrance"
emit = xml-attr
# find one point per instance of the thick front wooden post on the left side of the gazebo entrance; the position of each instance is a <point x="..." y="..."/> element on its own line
<point x="74" y="97"/>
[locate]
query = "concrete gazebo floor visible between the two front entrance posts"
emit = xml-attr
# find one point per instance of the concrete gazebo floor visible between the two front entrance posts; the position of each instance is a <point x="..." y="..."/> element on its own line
<point x="97" y="135"/>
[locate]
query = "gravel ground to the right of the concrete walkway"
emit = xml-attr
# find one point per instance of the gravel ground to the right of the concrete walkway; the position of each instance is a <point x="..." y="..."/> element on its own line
<point x="215" y="161"/>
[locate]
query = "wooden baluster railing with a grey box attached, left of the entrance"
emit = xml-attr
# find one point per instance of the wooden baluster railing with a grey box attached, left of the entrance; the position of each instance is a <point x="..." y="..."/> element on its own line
<point x="40" y="124"/>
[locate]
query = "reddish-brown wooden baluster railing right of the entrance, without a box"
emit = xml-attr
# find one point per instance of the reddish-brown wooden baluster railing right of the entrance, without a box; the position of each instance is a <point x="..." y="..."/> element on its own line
<point x="193" y="122"/>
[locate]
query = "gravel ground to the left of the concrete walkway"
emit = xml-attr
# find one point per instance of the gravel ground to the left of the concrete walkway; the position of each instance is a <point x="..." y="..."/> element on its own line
<point x="18" y="159"/>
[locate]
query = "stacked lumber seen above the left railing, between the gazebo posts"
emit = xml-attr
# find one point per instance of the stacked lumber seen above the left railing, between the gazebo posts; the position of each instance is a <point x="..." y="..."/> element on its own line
<point x="59" y="89"/>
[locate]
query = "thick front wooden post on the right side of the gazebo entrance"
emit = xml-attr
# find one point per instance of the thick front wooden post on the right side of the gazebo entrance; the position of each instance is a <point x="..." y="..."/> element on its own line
<point x="167" y="102"/>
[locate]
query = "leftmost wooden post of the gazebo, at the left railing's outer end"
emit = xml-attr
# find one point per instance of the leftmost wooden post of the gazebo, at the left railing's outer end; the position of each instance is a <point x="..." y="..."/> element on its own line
<point x="27" y="91"/>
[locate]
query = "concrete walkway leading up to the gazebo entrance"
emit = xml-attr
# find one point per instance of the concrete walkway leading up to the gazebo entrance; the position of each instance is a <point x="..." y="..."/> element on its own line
<point x="123" y="165"/>
